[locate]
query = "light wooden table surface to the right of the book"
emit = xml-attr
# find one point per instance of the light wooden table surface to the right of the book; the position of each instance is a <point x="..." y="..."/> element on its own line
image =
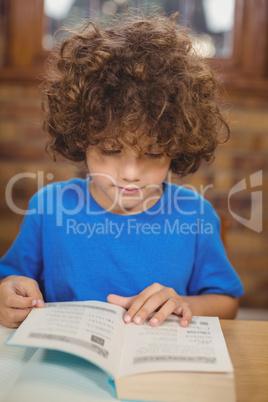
<point x="247" y="343"/>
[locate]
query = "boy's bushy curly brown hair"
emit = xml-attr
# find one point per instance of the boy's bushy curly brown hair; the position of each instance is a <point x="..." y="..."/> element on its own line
<point x="138" y="83"/>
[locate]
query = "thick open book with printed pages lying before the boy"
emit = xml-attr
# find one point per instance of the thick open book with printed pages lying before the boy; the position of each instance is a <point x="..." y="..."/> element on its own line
<point x="166" y="363"/>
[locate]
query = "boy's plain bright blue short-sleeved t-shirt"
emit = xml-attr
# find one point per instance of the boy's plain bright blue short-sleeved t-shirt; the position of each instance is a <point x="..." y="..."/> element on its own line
<point x="78" y="251"/>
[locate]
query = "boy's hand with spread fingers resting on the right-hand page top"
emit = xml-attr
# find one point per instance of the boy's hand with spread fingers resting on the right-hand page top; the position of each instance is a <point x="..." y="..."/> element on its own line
<point x="151" y="298"/>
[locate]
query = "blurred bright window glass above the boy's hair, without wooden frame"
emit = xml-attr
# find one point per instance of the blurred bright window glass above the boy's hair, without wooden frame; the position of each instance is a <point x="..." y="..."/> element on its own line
<point x="213" y="20"/>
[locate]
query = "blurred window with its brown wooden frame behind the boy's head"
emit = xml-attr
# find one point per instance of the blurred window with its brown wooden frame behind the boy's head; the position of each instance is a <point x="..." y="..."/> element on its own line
<point x="235" y="42"/>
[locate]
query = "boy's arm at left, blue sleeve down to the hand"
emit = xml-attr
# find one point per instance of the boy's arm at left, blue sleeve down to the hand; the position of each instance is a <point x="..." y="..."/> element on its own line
<point x="22" y="262"/>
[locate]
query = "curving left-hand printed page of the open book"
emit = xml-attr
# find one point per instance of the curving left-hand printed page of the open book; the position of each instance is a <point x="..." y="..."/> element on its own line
<point x="91" y="329"/>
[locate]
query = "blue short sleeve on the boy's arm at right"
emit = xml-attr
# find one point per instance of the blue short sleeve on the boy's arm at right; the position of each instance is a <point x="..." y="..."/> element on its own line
<point x="212" y="272"/>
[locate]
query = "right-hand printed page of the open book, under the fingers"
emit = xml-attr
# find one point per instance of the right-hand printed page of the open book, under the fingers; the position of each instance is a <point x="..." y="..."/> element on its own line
<point x="199" y="347"/>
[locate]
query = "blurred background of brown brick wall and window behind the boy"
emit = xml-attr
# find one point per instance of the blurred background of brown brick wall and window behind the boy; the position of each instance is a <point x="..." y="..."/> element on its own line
<point x="233" y="35"/>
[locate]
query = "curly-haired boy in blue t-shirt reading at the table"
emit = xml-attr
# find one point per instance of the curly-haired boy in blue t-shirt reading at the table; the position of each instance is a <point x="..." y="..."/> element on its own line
<point x="132" y="101"/>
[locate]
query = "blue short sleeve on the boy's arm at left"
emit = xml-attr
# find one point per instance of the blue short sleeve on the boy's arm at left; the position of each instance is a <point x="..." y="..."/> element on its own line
<point x="25" y="255"/>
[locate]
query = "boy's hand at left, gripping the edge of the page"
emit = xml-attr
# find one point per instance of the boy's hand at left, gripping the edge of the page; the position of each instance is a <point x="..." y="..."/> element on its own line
<point x="18" y="294"/>
